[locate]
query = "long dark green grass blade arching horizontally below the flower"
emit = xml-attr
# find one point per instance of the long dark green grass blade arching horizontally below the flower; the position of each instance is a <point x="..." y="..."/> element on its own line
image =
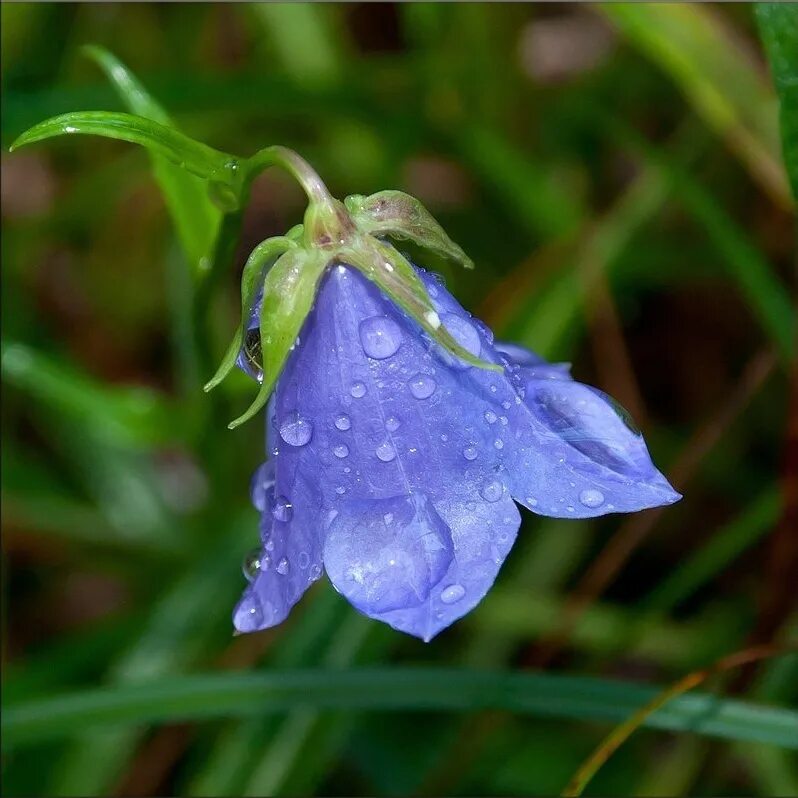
<point x="190" y="697"/>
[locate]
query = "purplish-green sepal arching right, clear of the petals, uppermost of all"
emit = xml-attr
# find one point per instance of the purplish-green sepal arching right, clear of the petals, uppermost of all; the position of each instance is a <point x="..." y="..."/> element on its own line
<point x="400" y="216"/>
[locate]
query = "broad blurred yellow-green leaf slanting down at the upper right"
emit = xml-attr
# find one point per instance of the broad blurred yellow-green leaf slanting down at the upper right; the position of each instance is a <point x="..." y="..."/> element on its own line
<point x="717" y="77"/>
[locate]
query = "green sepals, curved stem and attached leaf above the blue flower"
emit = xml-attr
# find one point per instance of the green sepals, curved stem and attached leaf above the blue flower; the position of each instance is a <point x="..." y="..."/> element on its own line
<point x="286" y="270"/>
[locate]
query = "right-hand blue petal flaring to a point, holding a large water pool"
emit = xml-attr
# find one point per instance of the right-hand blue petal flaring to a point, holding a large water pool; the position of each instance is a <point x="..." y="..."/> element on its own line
<point x="570" y="451"/>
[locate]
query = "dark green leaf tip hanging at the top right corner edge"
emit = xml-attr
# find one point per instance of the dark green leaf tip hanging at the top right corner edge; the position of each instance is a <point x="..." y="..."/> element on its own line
<point x="778" y="24"/>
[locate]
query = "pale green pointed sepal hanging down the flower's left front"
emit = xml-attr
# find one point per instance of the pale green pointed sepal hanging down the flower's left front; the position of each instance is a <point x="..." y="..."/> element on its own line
<point x="289" y="291"/>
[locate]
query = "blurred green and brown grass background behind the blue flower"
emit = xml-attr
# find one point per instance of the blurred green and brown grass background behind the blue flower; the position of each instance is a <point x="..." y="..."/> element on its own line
<point x="615" y="172"/>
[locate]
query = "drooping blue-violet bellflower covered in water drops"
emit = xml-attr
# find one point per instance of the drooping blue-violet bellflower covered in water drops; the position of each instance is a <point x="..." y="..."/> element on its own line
<point x="396" y="466"/>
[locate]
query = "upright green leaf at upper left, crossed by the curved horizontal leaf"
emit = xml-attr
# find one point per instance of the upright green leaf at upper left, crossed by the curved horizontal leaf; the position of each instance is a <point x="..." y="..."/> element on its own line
<point x="194" y="214"/>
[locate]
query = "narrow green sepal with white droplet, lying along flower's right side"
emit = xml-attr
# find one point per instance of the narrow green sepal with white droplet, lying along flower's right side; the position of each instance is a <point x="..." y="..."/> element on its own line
<point x="393" y="273"/>
